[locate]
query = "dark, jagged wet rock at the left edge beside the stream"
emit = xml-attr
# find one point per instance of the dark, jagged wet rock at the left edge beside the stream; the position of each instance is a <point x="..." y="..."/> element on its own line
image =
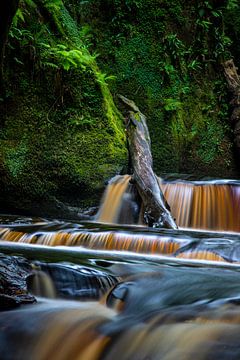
<point x="13" y="282"/>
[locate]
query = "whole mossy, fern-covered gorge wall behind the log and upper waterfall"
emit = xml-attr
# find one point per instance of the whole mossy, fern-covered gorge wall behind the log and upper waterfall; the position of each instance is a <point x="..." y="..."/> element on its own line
<point x="62" y="134"/>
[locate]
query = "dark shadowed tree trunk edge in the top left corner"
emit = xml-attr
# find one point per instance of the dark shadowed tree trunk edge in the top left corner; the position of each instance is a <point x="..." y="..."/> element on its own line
<point x="8" y="9"/>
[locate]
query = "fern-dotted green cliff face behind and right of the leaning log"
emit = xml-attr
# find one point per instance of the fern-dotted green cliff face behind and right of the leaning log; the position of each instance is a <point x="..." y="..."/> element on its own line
<point x="168" y="56"/>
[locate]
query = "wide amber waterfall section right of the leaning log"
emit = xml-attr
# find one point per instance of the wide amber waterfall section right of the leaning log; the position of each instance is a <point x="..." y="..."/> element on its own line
<point x="204" y="206"/>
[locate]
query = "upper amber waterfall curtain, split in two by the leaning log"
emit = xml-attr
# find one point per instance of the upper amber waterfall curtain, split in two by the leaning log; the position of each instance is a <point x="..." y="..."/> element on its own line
<point x="196" y="205"/>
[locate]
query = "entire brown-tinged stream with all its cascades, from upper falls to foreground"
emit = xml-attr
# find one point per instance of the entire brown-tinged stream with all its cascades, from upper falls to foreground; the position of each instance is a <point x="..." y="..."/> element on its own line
<point x="115" y="289"/>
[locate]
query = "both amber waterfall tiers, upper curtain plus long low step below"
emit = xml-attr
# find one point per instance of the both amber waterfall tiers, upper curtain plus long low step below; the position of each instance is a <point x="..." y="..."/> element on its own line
<point x="195" y="205"/>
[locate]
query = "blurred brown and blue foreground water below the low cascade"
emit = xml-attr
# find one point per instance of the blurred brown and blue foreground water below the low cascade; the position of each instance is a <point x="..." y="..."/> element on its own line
<point x="155" y="312"/>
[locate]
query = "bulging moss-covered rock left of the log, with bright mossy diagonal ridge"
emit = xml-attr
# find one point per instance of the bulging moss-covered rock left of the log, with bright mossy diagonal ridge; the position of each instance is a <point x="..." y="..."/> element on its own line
<point x="64" y="136"/>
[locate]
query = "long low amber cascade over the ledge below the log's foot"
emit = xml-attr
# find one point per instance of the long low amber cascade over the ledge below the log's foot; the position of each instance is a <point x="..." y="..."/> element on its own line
<point x="129" y="239"/>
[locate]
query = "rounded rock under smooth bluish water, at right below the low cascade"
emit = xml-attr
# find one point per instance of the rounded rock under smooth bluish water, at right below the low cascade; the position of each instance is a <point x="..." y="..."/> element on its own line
<point x="143" y="296"/>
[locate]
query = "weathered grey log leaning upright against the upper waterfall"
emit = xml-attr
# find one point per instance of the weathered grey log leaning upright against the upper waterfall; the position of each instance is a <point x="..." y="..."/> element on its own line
<point x="156" y="213"/>
